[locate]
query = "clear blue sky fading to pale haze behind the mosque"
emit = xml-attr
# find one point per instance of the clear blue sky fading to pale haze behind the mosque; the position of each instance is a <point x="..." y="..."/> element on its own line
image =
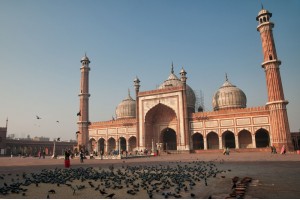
<point x="42" y="42"/>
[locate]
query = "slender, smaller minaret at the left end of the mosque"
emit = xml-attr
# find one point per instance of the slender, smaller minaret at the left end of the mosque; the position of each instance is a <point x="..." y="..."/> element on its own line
<point x="83" y="121"/>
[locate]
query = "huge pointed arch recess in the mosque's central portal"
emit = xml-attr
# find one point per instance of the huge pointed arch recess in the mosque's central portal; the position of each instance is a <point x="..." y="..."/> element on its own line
<point x="156" y="119"/>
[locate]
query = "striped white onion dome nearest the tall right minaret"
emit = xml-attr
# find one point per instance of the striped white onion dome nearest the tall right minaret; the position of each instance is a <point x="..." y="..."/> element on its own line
<point x="229" y="96"/>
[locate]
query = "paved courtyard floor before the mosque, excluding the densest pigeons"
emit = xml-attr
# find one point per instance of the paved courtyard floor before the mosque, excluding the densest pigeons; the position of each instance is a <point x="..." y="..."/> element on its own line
<point x="273" y="175"/>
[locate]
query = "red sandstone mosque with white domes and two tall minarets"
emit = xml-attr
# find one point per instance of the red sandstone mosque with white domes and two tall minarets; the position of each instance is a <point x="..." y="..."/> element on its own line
<point x="166" y="118"/>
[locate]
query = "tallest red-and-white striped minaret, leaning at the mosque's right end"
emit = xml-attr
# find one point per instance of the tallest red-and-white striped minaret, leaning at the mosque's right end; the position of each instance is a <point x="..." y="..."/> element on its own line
<point x="280" y="130"/>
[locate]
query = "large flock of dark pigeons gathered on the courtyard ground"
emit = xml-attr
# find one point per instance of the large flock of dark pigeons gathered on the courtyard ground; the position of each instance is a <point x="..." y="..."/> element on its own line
<point x="177" y="180"/>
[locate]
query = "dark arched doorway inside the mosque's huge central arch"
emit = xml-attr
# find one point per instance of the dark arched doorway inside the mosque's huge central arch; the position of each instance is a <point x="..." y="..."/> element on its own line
<point x="168" y="138"/>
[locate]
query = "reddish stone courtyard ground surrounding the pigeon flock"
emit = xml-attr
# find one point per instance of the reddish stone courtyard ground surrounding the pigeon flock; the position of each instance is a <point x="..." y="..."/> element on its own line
<point x="273" y="175"/>
